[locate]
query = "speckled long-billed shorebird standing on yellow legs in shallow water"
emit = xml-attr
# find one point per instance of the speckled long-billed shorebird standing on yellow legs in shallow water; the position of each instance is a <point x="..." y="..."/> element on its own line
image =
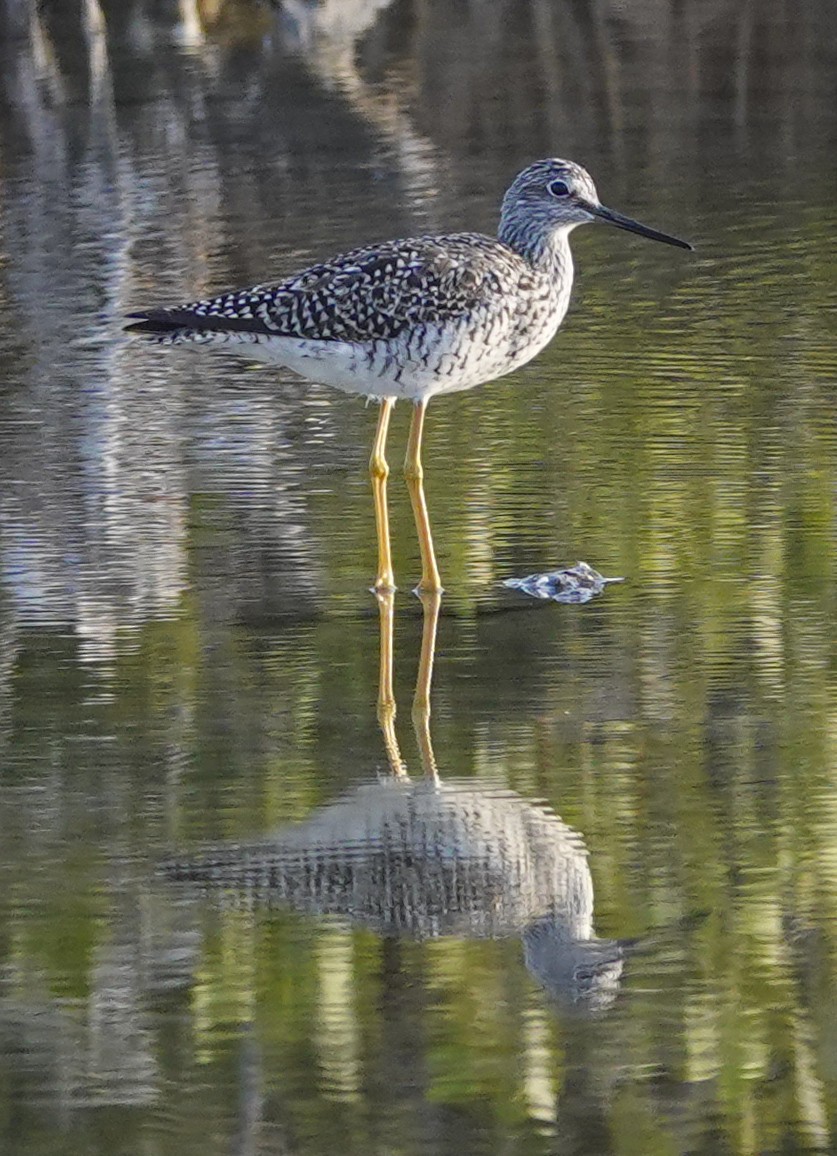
<point x="414" y="318"/>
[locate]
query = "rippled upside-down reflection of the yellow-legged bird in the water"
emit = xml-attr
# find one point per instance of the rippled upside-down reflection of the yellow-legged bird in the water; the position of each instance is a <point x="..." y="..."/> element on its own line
<point x="425" y="858"/>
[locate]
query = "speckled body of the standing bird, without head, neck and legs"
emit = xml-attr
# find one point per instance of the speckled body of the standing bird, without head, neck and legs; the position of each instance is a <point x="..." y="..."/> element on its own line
<point x="408" y="318"/>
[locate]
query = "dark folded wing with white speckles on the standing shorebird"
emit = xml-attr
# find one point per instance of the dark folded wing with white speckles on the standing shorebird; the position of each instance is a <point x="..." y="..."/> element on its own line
<point x="366" y="295"/>
